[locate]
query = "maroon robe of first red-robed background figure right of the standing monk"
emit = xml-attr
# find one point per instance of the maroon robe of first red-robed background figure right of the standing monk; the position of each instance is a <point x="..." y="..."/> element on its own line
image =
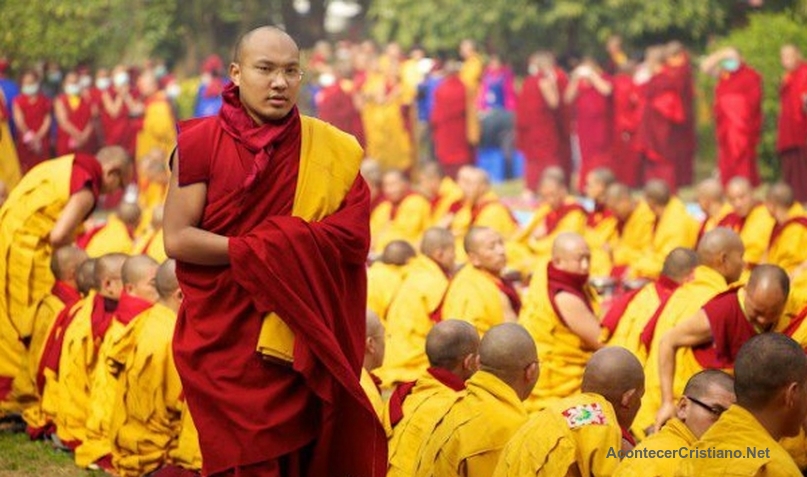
<point x="449" y="123"/>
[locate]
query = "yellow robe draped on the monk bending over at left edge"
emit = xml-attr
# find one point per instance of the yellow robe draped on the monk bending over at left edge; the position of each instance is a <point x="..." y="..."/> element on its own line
<point x="26" y="220"/>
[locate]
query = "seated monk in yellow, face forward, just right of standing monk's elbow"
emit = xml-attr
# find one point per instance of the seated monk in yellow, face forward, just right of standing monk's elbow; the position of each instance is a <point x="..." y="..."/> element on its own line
<point x="402" y="215"/>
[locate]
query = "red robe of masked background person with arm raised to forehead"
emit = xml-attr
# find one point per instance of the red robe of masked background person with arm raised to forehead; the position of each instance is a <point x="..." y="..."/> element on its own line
<point x="738" y="120"/>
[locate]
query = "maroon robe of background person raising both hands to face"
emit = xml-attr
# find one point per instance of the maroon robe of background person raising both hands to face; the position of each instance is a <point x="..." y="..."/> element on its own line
<point x="592" y="119"/>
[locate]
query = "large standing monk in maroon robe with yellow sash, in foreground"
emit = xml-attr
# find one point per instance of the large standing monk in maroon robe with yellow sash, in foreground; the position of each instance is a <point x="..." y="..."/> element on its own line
<point x="268" y="220"/>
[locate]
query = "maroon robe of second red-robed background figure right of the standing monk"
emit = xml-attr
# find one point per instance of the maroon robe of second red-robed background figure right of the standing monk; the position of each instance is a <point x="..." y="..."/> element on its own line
<point x="539" y="134"/>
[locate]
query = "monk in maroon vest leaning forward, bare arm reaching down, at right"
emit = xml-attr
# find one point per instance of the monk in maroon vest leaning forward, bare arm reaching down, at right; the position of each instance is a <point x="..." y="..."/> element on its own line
<point x="714" y="335"/>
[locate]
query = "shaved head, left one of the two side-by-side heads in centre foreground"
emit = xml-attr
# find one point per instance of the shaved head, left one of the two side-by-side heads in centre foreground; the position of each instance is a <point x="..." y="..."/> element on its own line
<point x="449" y="342"/>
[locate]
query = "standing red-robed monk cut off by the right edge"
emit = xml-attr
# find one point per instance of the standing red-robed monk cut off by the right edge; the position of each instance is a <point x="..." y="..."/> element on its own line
<point x="791" y="143"/>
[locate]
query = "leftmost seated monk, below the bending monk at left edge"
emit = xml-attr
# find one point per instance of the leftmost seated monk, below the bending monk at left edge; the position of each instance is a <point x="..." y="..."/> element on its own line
<point x="38" y="321"/>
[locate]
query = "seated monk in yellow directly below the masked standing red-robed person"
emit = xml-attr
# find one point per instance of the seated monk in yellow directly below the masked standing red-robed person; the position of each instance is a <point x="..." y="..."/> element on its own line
<point x="749" y="218"/>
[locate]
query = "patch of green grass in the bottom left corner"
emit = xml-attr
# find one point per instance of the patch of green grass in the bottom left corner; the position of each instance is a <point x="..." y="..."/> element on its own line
<point x="19" y="457"/>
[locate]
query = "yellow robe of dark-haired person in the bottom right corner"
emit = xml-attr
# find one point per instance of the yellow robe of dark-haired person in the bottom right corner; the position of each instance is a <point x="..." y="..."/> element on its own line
<point x="737" y="430"/>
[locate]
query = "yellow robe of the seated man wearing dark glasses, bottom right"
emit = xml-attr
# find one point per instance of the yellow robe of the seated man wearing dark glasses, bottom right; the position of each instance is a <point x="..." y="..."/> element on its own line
<point x="674" y="436"/>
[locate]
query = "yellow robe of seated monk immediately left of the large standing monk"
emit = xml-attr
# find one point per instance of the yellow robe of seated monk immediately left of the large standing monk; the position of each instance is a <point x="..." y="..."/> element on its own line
<point x="145" y="421"/>
